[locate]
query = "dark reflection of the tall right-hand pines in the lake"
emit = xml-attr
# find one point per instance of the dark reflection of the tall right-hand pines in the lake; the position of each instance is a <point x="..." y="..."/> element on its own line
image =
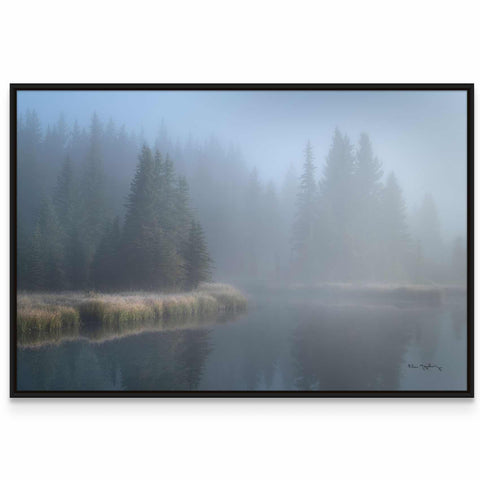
<point x="350" y="348"/>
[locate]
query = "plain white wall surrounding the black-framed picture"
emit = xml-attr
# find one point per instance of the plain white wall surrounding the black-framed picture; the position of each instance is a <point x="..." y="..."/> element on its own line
<point x="218" y="41"/>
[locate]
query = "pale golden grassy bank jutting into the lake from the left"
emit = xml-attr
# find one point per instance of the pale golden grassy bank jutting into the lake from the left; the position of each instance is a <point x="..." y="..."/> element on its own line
<point x="52" y="313"/>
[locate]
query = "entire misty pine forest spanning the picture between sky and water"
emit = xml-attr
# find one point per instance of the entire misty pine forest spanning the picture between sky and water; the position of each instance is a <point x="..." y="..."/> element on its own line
<point x="342" y="222"/>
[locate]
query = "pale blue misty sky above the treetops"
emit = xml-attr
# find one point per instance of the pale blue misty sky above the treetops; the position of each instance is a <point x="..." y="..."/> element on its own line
<point x="420" y="135"/>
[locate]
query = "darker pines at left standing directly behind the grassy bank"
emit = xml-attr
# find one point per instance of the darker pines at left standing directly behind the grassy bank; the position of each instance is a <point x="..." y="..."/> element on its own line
<point x="74" y="244"/>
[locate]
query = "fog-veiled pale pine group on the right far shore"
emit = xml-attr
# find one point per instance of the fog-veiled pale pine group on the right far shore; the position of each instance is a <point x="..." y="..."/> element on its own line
<point x="352" y="225"/>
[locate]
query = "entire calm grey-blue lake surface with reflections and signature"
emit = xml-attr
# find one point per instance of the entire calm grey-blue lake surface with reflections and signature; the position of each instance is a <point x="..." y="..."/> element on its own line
<point x="283" y="342"/>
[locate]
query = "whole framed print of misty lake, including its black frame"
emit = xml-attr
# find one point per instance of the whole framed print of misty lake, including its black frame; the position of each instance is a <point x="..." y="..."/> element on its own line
<point x="242" y="240"/>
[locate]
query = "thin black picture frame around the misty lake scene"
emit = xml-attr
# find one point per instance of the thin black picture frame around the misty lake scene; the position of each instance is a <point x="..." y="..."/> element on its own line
<point x="468" y="393"/>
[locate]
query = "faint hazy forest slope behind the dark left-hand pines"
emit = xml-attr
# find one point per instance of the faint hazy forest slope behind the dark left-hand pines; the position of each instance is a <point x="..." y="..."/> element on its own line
<point x="244" y="218"/>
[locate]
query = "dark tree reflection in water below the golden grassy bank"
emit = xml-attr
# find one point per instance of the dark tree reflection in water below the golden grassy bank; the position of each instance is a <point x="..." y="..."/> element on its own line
<point x="171" y="360"/>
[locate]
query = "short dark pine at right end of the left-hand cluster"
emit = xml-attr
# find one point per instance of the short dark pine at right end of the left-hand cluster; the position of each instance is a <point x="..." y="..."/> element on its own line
<point x="197" y="260"/>
